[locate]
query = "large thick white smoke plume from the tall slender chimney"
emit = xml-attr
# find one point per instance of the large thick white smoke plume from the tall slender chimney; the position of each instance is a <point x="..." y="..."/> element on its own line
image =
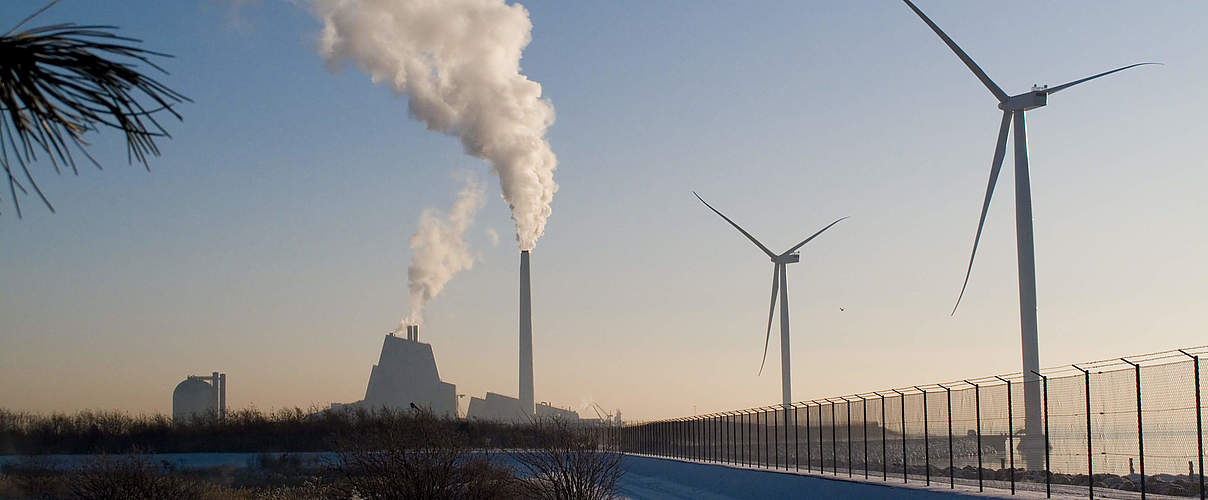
<point x="458" y="61"/>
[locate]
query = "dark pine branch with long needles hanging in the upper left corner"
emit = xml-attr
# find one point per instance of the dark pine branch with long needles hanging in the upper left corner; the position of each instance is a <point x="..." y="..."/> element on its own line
<point x="59" y="83"/>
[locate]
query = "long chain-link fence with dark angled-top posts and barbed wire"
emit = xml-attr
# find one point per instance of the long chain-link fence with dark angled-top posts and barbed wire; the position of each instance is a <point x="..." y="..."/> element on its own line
<point x="1131" y="425"/>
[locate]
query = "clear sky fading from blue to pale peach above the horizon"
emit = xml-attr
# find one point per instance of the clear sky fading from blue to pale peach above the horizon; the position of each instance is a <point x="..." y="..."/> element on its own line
<point x="270" y="241"/>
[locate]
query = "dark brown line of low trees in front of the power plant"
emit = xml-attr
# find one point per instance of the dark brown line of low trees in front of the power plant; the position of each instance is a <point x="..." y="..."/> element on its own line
<point x="242" y="432"/>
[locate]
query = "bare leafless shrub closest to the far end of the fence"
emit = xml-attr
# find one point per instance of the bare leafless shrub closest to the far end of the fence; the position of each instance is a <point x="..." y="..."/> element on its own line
<point x="570" y="463"/>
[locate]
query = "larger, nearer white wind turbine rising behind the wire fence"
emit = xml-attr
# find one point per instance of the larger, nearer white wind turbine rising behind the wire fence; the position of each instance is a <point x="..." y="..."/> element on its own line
<point x="1014" y="108"/>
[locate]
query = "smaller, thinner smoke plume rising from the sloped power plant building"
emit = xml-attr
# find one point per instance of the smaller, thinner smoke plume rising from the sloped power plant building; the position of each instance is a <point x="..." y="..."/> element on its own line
<point x="439" y="249"/>
